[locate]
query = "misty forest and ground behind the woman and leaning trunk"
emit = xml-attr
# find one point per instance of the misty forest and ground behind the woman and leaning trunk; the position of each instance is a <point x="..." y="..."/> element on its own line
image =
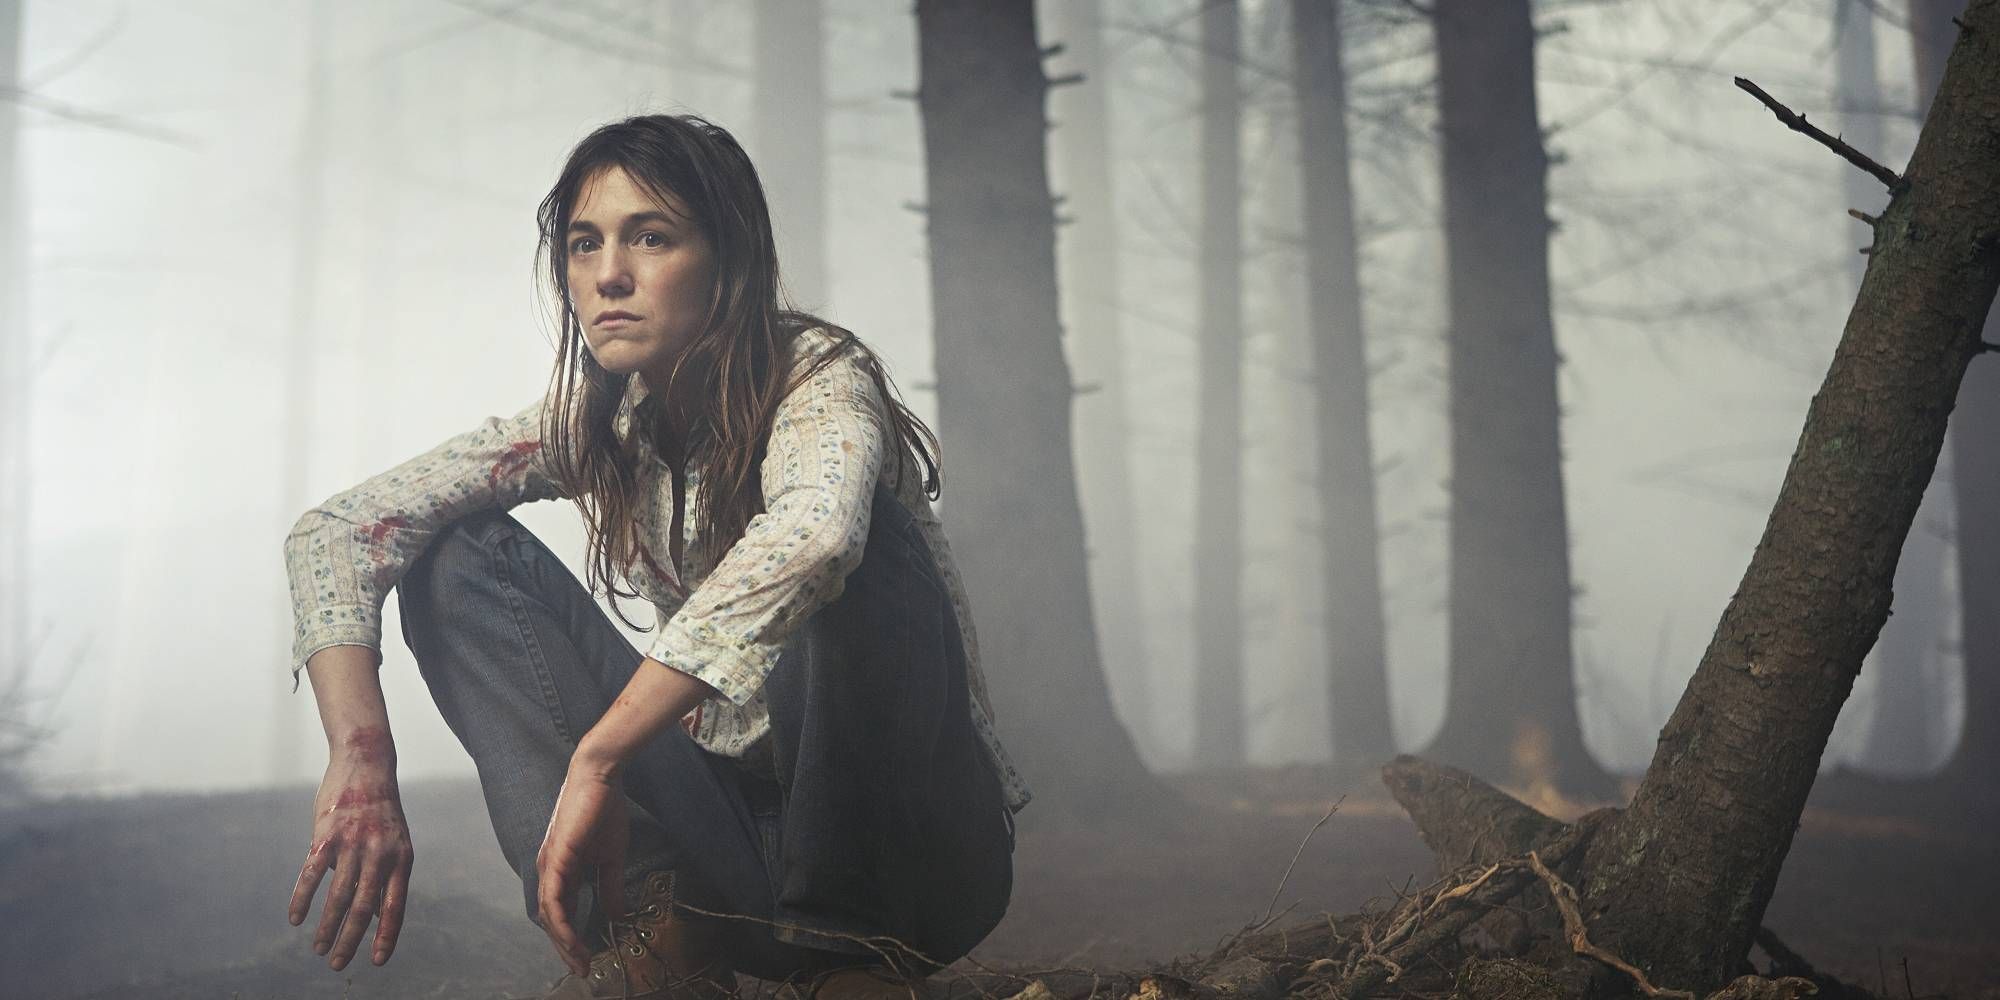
<point x="1331" y="379"/>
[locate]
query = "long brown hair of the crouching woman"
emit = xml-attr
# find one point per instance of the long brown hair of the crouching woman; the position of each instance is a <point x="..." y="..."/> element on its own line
<point x="739" y="365"/>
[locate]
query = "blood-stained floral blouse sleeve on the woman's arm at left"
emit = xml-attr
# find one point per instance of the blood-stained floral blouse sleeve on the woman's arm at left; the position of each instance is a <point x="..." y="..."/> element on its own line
<point x="345" y="555"/>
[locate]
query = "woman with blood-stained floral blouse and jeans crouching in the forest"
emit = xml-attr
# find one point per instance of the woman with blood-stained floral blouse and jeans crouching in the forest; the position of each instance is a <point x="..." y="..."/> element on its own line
<point x="799" y="779"/>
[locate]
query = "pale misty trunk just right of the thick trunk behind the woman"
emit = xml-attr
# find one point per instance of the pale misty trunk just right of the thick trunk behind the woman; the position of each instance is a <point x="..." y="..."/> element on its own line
<point x="1091" y="279"/>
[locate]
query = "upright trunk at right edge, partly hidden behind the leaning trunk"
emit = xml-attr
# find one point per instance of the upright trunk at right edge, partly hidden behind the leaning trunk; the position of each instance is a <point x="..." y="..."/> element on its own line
<point x="1969" y="773"/>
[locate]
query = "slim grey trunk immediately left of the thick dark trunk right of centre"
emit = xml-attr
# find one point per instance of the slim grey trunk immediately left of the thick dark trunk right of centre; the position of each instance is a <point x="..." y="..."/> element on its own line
<point x="1357" y="651"/>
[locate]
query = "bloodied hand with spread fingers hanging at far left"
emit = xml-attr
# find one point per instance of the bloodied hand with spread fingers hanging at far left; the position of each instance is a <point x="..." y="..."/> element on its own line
<point x="361" y="835"/>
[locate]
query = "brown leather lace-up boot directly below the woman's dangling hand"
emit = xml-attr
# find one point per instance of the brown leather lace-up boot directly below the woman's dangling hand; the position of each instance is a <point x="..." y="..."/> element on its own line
<point x="655" y="955"/>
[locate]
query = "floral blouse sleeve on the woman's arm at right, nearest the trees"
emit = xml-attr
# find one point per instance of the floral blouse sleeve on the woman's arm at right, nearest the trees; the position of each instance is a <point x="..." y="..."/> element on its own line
<point x="819" y="479"/>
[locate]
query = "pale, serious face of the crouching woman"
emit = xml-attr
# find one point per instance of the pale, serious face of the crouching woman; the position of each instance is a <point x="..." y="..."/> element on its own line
<point x="639" y="277"/>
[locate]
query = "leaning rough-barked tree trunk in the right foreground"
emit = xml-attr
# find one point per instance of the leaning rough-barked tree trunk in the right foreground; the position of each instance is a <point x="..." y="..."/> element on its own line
<point x="1679" y="883"/>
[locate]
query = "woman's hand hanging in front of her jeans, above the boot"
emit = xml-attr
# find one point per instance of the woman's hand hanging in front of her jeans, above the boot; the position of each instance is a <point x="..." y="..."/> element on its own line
<point x="587" y="831"/>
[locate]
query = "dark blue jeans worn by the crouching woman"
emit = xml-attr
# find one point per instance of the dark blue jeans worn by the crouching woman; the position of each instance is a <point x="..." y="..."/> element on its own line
<point x="883" y="835"/>
